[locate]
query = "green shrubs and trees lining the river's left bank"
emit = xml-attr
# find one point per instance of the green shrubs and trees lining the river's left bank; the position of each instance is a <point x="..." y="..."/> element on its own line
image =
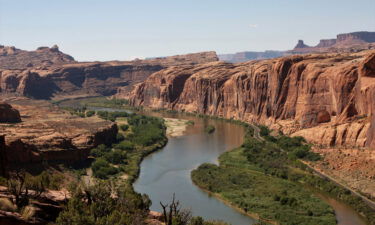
<point x="112" y="199"/>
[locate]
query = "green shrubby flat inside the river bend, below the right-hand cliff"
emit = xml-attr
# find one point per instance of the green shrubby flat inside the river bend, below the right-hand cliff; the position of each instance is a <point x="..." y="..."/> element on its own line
<point x="265" y="178"/>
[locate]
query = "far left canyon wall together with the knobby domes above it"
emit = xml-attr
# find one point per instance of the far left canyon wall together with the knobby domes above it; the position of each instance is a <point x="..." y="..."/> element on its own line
<point x="62" y="77"/>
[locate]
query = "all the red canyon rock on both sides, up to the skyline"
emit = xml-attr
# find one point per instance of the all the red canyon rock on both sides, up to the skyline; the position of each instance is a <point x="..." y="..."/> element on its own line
<point x="325" y="96"/>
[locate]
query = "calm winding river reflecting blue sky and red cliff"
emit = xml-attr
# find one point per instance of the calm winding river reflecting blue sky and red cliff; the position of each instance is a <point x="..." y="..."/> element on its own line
<point x="167" y="172"/>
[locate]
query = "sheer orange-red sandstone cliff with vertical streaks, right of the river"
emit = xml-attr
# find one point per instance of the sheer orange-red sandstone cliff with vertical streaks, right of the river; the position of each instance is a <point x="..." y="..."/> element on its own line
<point x="322" y="97"/>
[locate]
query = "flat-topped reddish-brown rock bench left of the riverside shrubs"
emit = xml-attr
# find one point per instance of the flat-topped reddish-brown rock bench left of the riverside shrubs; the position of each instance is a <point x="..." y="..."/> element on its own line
<point x="48" y="134"/>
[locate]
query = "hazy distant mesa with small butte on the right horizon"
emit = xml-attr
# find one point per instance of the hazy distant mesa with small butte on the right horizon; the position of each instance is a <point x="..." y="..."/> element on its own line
<point x="349" y="42"/>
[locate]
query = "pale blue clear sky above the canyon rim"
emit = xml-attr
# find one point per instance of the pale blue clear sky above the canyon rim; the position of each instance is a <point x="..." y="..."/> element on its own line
<point x="91" y="30"/>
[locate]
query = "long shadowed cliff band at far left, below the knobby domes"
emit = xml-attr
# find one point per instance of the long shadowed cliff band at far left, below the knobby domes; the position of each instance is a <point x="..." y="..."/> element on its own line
<point x="88" y="79"/>
